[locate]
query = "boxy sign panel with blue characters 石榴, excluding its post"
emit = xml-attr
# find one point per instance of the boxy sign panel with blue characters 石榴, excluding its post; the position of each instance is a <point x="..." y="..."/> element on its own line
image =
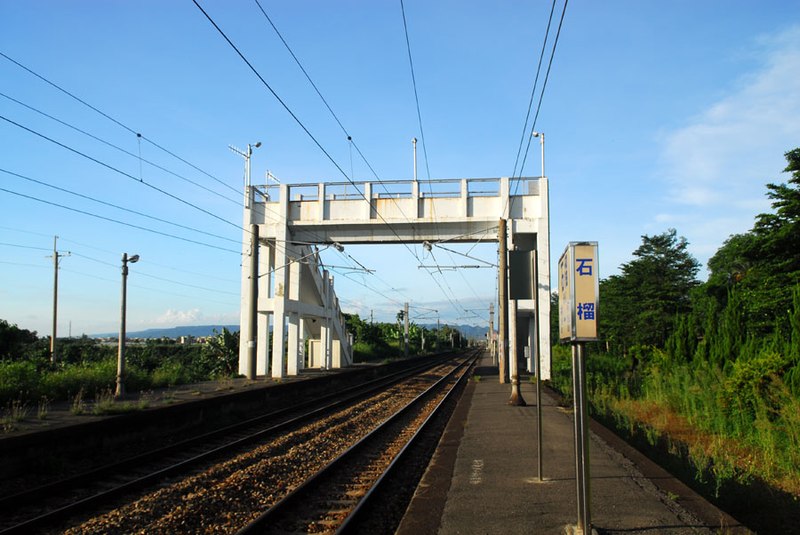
<point x="578" y="293"/>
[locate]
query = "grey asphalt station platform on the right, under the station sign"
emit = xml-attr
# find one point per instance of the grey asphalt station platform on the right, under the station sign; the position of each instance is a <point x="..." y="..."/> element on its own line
<point x="484" y="479"/>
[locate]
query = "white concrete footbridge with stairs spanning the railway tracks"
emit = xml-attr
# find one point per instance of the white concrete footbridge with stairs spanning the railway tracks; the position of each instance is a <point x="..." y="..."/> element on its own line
<point x="294" y="296"/>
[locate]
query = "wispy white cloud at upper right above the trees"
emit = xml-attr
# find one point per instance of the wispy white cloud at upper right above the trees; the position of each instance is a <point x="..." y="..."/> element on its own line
<point x="725" y="155"/>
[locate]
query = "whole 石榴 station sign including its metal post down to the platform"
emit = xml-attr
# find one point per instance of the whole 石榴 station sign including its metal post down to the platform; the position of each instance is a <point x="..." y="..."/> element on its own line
<point x="578" y="303"/>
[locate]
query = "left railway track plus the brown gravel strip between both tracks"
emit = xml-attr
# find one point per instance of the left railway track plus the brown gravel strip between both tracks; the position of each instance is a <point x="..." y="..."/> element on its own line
<point x="180" y="489"/>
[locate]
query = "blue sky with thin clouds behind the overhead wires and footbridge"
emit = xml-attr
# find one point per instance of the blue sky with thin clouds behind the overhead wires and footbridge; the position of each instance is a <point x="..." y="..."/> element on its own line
<point x="656" y="115"/>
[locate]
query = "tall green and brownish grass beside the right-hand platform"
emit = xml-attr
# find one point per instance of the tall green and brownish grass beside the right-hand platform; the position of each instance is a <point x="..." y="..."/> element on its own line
<point x="741" y="421"/>
